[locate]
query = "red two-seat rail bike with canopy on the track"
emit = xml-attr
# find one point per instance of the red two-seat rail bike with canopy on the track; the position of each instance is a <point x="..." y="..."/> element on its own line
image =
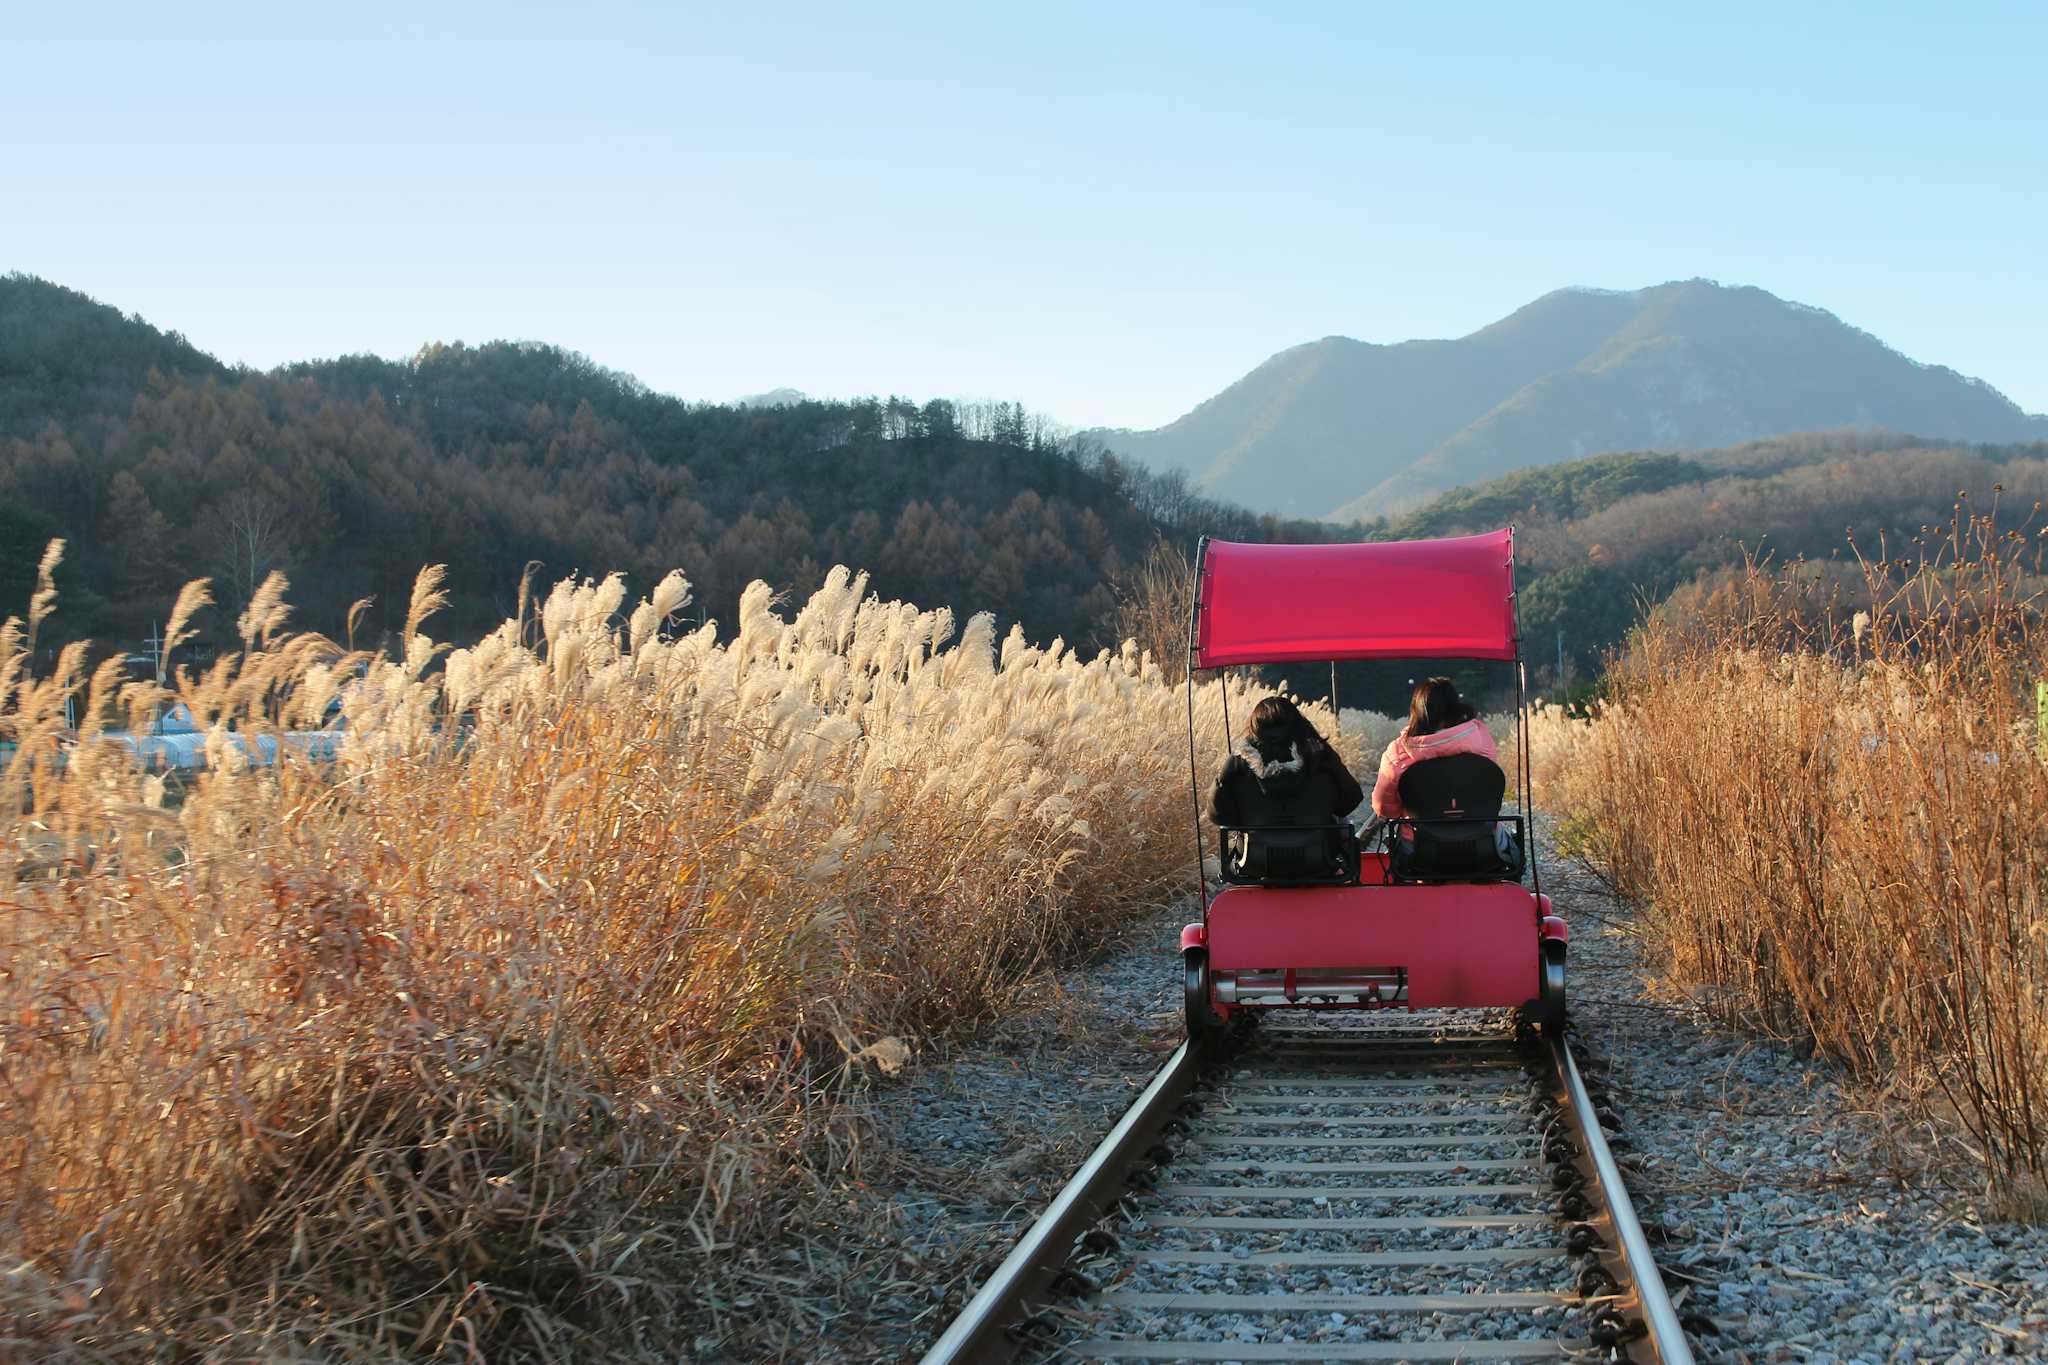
<point x="1437" y="912"/>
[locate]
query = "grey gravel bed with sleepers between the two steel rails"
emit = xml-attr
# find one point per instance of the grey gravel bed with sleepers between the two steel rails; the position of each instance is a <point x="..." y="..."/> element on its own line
<point x="1353" y="1270"/>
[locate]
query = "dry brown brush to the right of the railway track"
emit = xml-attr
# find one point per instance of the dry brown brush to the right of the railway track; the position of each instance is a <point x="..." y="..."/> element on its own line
<point x="1838" y="822"/>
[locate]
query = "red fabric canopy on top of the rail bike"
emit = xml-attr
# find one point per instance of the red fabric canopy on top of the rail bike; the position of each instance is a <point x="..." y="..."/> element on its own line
<point x="1396" y="601"/>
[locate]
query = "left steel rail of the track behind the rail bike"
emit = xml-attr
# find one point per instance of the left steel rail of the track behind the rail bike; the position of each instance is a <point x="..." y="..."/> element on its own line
<point x="980" y="1331"/>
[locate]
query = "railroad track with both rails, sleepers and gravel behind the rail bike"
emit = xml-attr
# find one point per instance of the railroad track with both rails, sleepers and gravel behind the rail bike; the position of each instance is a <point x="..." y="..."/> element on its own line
<point x="1340" y="1188"/>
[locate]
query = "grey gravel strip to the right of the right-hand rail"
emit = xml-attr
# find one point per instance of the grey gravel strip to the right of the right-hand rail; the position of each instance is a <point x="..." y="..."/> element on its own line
<point x="1816" y="1235"/>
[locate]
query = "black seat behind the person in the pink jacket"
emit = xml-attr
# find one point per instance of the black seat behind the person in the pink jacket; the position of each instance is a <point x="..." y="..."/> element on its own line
<point x="1455" y="830"/>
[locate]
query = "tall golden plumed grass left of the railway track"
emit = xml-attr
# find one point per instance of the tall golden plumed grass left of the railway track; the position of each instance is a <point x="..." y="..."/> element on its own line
<point x="513" y="1030"/>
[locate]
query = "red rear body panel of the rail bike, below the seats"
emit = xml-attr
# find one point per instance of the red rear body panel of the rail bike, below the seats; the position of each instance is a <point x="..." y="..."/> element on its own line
<point x="1463" y="944"/>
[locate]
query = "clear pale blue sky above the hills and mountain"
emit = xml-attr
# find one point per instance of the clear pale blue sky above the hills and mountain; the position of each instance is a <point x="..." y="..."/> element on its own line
<point x="1103" y="210"/>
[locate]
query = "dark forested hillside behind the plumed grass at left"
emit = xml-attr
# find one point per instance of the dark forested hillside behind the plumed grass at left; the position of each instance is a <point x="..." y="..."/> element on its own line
<point x="157" y="466"/>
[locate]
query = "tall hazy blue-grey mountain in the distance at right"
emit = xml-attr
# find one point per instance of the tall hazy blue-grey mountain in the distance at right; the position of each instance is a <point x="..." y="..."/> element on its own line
<point x="1357" y="431"/>
